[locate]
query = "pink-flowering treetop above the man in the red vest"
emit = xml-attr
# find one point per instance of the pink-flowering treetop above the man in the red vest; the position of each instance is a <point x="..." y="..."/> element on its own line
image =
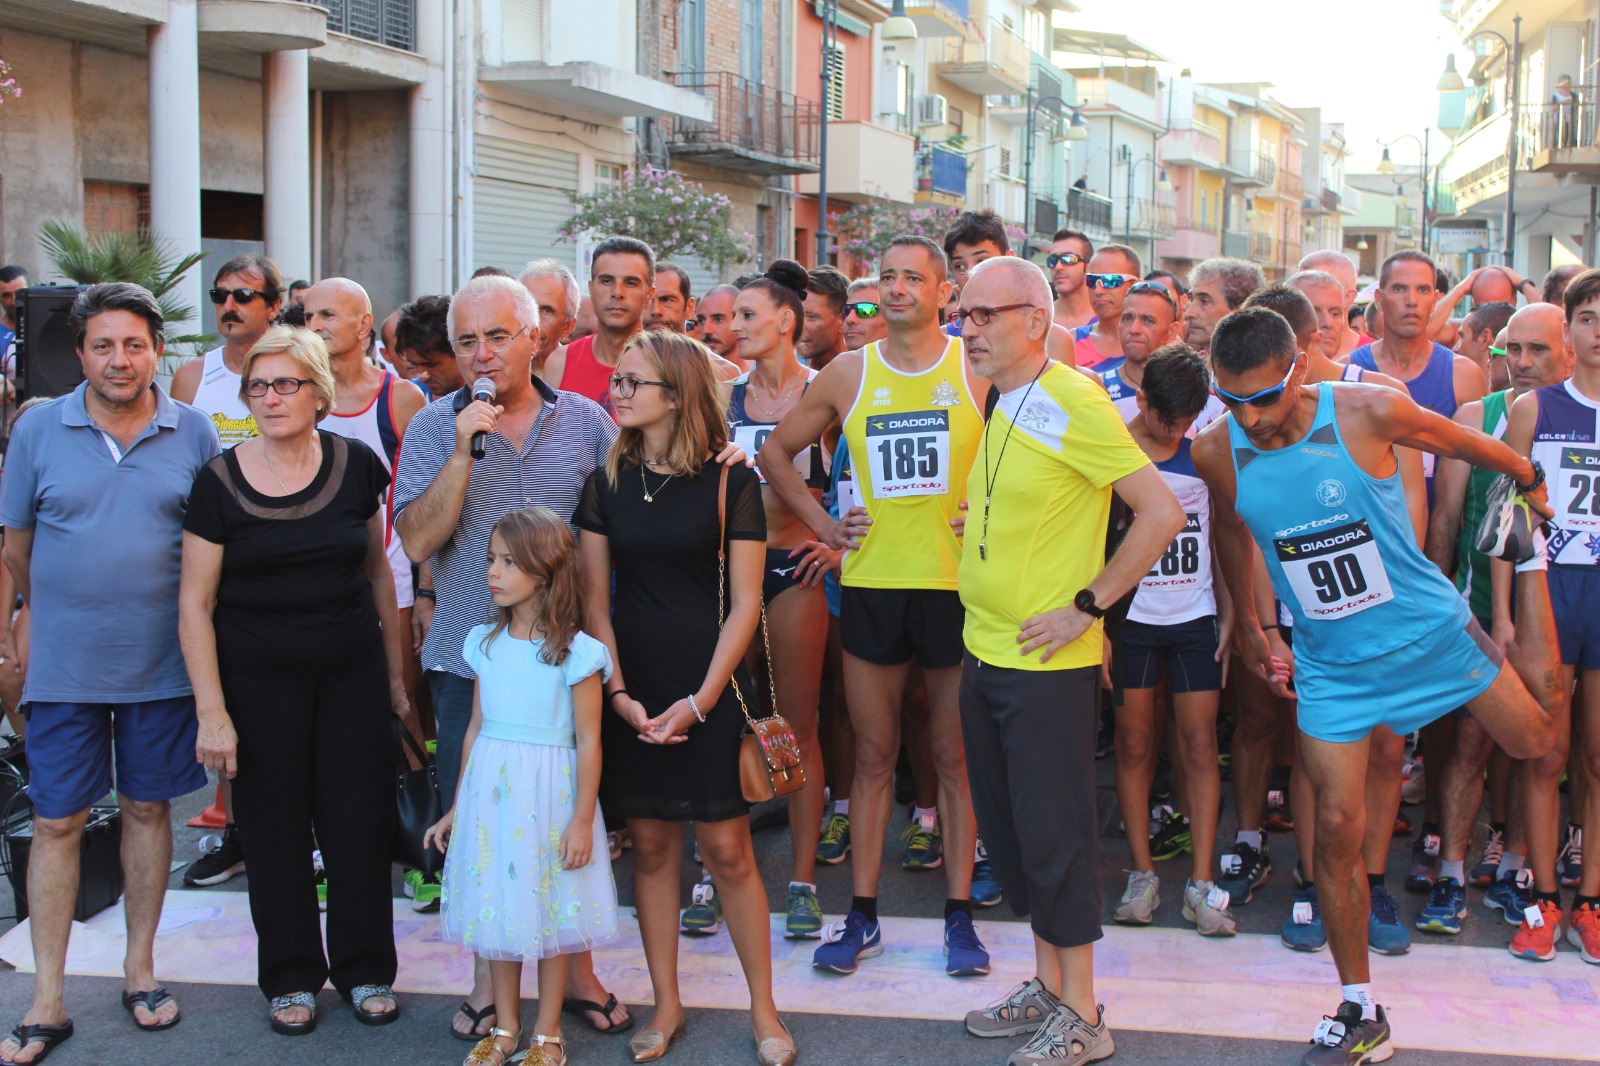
<point x="676" y="217"/>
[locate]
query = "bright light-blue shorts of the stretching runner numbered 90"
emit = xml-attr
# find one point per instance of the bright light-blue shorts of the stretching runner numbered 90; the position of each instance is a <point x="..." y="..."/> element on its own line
<point x="1404" y="689"/>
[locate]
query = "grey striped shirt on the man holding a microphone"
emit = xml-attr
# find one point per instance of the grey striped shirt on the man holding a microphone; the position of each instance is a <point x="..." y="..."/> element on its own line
<point x="570" y="438"/>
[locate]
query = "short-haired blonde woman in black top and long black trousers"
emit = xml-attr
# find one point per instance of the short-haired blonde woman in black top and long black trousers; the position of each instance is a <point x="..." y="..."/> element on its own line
<point x="287" y="615"/>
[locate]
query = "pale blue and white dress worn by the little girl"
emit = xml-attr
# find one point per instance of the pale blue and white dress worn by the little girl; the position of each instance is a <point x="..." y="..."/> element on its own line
<point x="505" y="891"/>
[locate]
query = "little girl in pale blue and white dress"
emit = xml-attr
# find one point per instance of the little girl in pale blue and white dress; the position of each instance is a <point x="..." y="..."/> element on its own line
<point x="527" y="873"/>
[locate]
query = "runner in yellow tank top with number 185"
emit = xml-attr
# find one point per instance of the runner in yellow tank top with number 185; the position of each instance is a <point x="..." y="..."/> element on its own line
<point x="910" y="411"/>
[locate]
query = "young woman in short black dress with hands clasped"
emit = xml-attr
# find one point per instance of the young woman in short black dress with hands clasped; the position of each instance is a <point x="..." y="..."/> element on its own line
<point x="673" y="748"/>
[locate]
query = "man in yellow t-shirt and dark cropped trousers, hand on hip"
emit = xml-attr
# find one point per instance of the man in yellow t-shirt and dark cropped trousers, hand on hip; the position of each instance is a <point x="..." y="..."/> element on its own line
<point x="1034" y="588"/>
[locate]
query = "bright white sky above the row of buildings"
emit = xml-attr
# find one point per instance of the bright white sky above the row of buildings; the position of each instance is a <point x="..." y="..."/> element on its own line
<point x="1370" y="65"/>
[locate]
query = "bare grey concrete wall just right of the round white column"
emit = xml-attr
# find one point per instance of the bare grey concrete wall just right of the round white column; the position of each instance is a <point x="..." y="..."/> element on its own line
<point x="366" y="194"/>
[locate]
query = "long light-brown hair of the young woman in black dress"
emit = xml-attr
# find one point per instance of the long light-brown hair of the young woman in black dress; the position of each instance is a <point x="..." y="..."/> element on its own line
<point x="700" y="427"/>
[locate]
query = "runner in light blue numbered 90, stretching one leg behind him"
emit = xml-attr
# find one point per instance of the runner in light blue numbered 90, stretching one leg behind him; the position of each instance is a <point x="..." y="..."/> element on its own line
<point x="1382" y="638"/>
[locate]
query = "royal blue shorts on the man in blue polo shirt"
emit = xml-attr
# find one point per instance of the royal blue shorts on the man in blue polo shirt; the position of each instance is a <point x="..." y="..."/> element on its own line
<point x="70" y="753"/>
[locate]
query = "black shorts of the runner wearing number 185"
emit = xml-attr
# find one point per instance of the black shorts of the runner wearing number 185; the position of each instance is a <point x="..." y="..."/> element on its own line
<point x="892" y="627"/>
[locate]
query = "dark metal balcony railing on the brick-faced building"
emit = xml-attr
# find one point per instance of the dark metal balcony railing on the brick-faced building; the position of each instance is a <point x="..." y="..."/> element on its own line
<point x="754" y="129"/>
